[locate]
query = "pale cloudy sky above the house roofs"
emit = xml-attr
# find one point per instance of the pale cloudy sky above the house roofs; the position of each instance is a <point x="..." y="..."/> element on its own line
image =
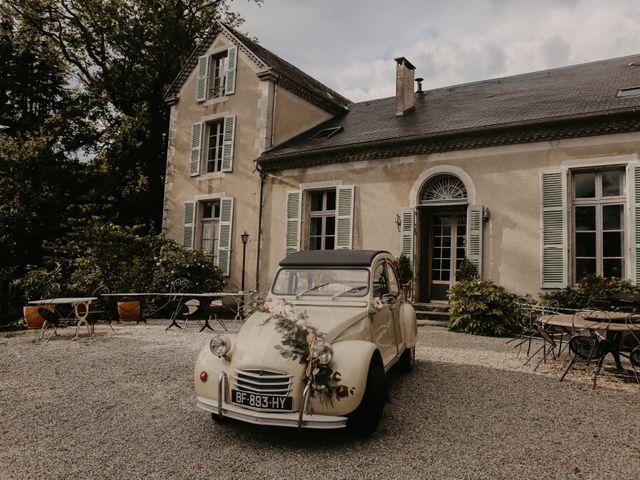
<point x="350" y="44"/>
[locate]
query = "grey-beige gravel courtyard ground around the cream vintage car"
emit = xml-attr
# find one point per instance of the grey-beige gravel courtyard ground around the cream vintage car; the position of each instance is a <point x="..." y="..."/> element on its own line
<point x="122" y="406"/>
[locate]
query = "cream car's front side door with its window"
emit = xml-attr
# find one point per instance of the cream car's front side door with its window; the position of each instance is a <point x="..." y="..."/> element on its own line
<point x="382" y="322"/>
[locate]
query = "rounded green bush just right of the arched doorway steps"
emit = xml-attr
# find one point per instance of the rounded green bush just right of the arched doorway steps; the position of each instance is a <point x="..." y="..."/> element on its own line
<point x="482" y="308"/>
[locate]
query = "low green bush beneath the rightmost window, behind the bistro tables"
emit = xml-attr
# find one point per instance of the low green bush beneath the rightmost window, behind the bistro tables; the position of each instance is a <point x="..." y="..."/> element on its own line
<point x="590" y="292"/>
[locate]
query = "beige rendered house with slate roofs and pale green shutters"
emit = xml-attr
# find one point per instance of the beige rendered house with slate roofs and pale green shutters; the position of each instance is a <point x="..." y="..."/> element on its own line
<point x="532" y="177"/>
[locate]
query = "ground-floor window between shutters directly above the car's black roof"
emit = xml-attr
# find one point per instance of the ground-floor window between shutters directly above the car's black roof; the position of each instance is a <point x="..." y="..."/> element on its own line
<point x="322" y="219"/>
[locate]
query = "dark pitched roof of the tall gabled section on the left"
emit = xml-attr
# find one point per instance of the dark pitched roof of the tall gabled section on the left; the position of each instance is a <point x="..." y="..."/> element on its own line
<point x="288" y="76"/>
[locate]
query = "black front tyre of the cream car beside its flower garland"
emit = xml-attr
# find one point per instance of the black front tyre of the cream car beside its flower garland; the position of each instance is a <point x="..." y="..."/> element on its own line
<point x="364" y="419"/>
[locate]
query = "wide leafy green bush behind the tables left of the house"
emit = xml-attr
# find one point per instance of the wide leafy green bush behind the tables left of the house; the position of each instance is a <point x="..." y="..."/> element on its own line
<point x="96" y="253"/>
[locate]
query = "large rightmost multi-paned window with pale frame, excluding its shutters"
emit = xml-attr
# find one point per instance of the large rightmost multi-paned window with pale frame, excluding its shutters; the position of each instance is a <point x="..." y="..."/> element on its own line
<point x="598" y="211"/>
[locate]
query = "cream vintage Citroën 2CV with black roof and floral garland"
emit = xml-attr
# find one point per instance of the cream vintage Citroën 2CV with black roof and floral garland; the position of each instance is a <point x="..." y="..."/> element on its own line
<point x="316" y="352"/>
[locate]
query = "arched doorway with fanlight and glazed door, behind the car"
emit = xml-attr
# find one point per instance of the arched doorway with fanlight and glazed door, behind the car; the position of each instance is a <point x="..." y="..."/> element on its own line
<point x="442" y="216"/>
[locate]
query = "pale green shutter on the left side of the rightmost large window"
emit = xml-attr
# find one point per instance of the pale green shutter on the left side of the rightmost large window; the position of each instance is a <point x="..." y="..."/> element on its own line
<point x="553" y="226"/>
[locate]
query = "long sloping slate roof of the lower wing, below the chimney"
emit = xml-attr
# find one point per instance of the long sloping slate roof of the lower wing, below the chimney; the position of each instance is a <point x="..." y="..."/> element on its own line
<point x="566" y="102"/>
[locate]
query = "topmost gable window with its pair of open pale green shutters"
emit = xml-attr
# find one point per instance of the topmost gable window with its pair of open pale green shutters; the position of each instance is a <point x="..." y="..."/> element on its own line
<point x="216" y="75"/>
